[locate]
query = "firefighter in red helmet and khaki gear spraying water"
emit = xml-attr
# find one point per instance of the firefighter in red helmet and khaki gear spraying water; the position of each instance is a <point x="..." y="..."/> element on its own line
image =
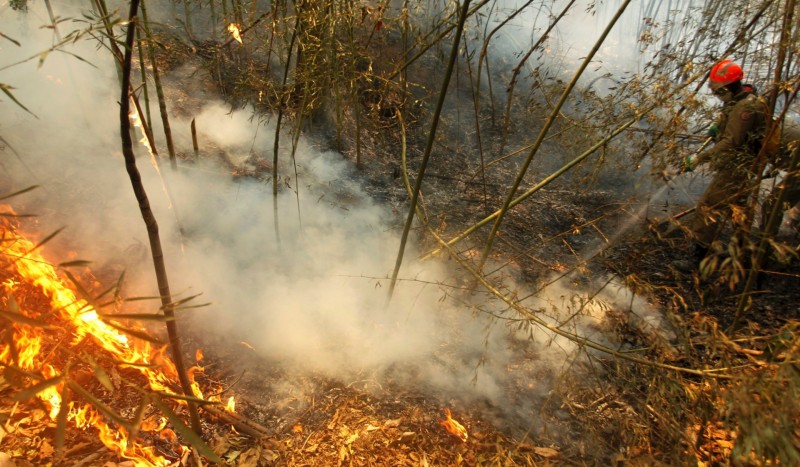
<point x="740" y="128"/>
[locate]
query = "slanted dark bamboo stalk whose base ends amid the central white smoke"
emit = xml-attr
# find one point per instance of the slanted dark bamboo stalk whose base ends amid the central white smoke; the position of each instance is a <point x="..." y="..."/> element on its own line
<point x="428" y="146"/>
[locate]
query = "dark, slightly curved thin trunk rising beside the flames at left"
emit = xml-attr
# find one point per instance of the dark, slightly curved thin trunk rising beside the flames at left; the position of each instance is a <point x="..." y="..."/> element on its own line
<point x="150" y="220"/>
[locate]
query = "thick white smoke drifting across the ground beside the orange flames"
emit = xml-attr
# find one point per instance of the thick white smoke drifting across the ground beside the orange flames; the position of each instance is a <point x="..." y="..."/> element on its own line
<point x="314" y="298"/>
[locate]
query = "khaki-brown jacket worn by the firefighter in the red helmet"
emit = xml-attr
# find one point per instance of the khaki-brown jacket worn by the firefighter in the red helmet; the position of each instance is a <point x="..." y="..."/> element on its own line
<point x="742" y="124"/>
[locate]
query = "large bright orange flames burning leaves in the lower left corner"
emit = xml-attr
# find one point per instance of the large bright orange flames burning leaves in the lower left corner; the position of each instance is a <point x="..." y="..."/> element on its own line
<point x="83" y="323"/>
